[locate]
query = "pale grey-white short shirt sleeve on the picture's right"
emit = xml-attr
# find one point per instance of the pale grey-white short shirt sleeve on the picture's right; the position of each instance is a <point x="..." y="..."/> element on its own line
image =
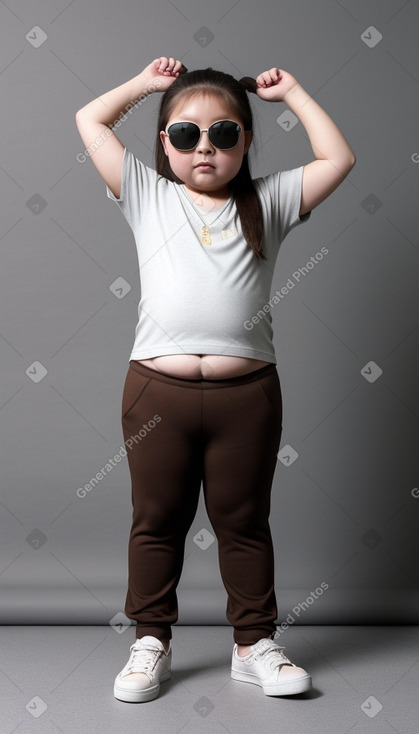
<point x="283" y="189"/>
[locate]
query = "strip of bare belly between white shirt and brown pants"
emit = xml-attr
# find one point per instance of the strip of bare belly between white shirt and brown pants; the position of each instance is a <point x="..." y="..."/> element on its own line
<point x="206" y="366"/>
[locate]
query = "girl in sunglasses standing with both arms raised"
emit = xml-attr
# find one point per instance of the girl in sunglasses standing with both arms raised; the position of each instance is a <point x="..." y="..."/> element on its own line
<point x="202" y="398"/>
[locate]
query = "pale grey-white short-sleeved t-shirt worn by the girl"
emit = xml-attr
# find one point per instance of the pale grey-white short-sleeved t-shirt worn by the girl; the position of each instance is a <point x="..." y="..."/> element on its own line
<point x="196" y="298"/>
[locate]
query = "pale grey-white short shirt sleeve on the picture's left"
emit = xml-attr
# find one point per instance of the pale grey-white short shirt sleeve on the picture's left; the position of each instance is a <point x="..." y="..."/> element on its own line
<point x="137" y="185"/>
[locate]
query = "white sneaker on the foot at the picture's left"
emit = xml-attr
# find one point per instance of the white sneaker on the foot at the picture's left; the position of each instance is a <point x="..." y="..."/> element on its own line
<point x="147" y="667"/>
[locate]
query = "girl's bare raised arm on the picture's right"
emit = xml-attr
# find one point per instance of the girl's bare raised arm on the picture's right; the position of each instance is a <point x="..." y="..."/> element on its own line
<point x="334" y="157"/>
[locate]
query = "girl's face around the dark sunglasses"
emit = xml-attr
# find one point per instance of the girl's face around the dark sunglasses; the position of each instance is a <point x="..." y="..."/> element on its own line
<point x="204" y="110"/>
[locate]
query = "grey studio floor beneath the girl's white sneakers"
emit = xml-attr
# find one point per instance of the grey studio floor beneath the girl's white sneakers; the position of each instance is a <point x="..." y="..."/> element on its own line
<point x="60" y="679"/>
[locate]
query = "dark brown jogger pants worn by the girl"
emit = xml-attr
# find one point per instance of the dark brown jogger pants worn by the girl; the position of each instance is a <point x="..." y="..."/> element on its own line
<point x="225" y="433"/>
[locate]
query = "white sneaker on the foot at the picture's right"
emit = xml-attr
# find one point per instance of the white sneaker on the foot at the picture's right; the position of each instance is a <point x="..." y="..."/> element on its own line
<point x="268" y="667"/>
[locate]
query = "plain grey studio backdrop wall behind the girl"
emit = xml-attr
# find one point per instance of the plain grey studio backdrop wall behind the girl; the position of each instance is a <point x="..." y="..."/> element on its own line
<point x="345" y="511"/>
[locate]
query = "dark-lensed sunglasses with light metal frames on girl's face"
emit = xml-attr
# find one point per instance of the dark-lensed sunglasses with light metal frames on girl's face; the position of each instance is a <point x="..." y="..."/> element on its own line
<point x="223" y="134"/>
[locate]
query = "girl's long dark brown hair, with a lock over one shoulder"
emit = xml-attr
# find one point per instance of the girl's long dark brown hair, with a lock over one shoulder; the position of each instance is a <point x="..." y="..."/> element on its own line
<point x="242" y="188"/>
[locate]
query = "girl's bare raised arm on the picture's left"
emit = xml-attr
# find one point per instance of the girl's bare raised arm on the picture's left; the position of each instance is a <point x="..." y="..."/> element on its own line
<point x="97" y="118"/>
